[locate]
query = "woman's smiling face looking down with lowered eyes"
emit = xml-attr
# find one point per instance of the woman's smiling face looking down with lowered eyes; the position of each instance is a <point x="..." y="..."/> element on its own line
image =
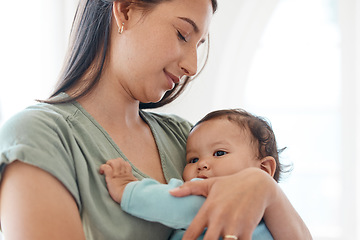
<point x="156" y="50"/>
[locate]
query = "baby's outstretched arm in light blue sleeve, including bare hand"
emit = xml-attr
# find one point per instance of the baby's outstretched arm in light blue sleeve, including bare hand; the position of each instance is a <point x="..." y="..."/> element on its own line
<point x="149" y="199"/>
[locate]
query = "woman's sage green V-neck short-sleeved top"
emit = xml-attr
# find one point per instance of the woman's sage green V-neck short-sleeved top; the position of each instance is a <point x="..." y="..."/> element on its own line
<point x="64" y="140"/>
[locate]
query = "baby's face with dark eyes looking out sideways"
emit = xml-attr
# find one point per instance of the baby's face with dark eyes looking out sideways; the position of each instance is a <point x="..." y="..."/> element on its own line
<point x="218" y="147"/>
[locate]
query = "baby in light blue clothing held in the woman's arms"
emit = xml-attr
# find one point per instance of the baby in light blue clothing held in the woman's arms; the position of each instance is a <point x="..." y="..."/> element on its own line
<point x="224" y="142"/>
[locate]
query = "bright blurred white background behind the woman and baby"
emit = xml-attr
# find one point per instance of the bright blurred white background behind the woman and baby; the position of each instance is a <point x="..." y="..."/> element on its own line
<point x="295" y="62"/>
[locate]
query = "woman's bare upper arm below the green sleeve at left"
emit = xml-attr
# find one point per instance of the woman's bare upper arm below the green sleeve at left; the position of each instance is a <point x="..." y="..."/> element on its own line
<point x="35" y="205"/>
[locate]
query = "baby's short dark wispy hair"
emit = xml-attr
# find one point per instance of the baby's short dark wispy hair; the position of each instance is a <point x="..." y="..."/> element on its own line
<point x="261" y="133"/>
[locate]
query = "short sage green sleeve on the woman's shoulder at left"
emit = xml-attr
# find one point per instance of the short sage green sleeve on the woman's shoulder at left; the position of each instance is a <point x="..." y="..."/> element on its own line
<point x="40" y="137"/>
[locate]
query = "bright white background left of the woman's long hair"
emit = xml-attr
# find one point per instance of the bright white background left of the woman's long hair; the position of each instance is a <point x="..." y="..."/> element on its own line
<point x="32" y="46"/>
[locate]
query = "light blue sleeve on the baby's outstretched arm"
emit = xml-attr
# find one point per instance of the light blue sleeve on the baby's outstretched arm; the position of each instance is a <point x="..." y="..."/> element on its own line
<point x="151" y="201"/>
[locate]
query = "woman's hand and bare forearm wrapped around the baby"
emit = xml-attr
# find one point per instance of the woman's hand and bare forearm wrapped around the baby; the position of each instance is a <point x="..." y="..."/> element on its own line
<point x="235" y="205"/>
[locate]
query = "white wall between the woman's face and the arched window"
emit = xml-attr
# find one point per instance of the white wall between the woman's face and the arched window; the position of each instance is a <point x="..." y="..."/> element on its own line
<point x="234" y="35"/>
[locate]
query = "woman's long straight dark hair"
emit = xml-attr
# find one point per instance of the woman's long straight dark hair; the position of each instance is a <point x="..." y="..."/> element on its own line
<point x="88" y="47"/>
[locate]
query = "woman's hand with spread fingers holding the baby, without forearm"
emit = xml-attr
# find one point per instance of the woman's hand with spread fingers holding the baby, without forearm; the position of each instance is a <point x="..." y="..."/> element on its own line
<point x="234" y="206"/>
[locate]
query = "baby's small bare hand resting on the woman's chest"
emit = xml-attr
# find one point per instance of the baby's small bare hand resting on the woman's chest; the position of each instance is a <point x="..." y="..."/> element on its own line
<point x="118" y="174"/>
